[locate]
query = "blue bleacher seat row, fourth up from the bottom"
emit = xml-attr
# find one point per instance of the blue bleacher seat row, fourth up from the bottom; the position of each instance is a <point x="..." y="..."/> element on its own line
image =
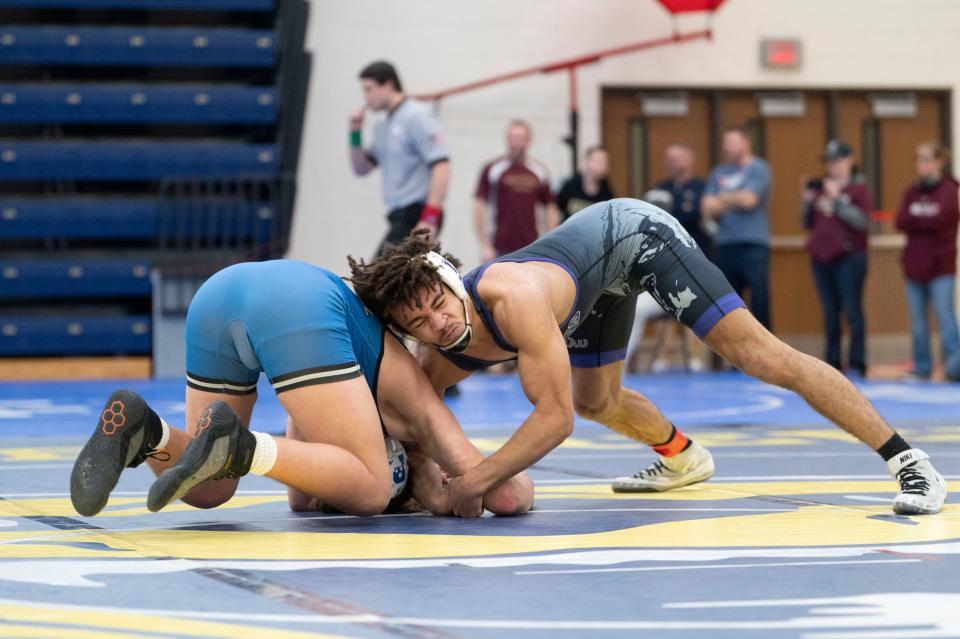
<point x="128" y="161"/>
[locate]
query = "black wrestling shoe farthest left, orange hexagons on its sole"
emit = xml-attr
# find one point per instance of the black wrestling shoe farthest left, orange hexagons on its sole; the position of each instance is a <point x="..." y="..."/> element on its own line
<point x="126" y="434"/>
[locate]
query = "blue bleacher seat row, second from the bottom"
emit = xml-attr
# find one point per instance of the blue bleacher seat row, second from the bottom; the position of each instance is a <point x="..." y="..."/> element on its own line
<point x="34" y="279"/>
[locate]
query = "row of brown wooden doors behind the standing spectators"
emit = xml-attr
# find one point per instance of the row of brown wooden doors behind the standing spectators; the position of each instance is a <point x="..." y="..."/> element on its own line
<point x="793" y="147"/>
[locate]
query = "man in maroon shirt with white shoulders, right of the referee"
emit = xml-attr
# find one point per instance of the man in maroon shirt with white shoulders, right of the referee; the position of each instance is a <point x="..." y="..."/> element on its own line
<point x="509" y="190"/>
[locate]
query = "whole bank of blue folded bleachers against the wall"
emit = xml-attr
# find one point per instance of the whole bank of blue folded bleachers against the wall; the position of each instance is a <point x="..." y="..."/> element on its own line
<point x="144" y="144"/>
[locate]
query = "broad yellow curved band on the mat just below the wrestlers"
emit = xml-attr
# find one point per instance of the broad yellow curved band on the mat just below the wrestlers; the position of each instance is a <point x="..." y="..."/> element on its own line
<point x="806" y="526"/>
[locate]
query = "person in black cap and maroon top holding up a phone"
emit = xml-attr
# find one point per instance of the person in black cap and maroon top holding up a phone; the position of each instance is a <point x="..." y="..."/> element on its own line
<point x="835" y="210"/>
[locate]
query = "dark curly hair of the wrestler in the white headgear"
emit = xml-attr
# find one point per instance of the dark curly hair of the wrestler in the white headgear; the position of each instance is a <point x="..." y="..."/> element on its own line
<point x="397" y="275"/>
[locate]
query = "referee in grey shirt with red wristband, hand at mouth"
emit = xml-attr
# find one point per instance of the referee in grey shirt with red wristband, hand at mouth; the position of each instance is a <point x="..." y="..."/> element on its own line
<point x="409" y="148"/>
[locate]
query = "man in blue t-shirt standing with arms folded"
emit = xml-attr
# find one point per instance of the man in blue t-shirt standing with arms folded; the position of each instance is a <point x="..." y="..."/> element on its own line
<point x="737" y="196"/>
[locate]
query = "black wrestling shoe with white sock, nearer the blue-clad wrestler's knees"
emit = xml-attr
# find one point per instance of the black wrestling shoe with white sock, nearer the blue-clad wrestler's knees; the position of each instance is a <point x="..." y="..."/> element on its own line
<point x="221" y="448"/>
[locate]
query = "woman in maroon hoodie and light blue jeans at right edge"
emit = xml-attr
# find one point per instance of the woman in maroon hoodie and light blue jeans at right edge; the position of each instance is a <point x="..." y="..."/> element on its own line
<point x="929" y="216"/>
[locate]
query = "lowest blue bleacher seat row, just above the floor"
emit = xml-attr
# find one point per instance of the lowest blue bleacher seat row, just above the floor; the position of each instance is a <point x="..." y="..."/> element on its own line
<point x="128" y="334"/>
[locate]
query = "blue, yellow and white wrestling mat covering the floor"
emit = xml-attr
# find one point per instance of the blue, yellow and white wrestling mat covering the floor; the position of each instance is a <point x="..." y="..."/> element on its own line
<point x="794" y="537"/>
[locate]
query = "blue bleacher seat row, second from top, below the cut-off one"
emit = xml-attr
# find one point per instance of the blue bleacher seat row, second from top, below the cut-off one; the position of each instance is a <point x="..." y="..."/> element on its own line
<point x="130" y="46"/>
